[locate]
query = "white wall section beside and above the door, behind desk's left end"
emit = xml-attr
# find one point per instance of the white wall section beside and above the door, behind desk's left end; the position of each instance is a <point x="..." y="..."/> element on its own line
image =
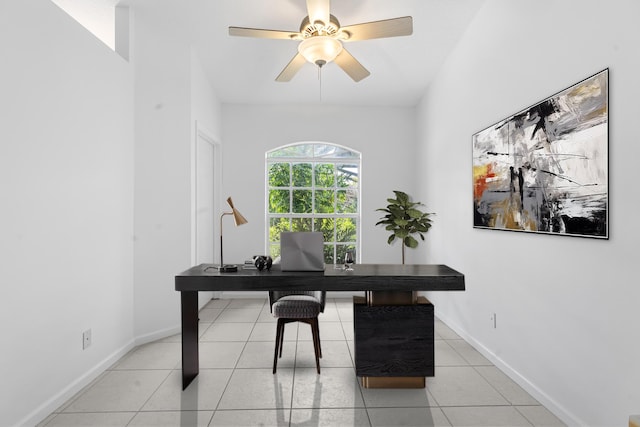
<point x="170" y="96"/>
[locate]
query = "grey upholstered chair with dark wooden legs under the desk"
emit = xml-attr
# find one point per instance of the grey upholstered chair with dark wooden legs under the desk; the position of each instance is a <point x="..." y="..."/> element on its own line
<point x="297" y="306"/>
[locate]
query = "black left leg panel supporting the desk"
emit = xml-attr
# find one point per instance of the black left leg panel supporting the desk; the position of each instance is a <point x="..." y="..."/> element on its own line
<point x="190" y="360"/>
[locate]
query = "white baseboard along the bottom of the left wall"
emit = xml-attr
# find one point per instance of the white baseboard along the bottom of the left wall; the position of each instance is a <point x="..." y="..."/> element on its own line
<point x="48" y="407"/>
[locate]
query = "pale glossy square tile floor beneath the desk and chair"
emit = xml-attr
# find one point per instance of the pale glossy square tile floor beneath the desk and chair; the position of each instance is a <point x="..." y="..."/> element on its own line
<point x="236" y="387"/>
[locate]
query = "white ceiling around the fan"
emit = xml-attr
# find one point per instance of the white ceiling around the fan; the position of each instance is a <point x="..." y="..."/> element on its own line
<point x="243" y="70"/>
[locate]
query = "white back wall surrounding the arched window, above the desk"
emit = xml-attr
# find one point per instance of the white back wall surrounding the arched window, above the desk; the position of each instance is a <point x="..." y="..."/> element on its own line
<point x="384" y="136"/>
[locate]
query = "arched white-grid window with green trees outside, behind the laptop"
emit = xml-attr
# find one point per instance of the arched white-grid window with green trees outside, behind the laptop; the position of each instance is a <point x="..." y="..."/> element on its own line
<point x="314" y="186"/>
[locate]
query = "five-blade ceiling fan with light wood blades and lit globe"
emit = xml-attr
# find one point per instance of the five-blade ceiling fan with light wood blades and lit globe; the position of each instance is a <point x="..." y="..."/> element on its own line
<point x="321" y="38"/>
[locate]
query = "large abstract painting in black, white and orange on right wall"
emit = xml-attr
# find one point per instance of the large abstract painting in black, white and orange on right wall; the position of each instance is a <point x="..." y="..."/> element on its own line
<point x="545" y="169"/>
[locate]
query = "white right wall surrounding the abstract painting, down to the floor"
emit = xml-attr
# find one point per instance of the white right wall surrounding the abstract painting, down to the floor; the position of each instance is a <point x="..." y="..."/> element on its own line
<point x="567" y="322"/>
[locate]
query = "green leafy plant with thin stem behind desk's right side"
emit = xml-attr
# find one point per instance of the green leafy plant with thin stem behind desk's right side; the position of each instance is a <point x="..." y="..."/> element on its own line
<point x="404" y="219"/>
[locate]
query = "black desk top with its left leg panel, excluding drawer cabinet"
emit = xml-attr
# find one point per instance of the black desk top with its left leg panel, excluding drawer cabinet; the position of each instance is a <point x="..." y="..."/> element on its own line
<point x="365" y="277"/>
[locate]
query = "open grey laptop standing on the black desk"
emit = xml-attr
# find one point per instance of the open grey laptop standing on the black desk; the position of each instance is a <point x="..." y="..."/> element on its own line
<point x="301" y="251"/>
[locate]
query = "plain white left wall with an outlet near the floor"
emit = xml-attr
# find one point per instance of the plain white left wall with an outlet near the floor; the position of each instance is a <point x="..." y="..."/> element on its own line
<point x="66" y="180"/>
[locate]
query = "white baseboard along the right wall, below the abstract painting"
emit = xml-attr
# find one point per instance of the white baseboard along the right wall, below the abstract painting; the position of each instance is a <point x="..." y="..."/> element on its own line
<point x="549" y="403"/>
